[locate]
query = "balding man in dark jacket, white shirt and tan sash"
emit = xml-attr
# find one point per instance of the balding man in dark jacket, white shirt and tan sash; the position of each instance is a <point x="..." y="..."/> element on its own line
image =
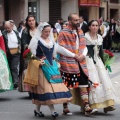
<point x="13" y="49"/>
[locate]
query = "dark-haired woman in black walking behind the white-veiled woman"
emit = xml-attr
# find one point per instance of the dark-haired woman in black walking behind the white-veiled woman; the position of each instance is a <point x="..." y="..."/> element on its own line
<point x="27" y="34"/>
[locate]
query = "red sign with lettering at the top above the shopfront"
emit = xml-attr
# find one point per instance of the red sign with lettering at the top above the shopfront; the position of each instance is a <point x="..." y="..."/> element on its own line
<point x="89" y="3"/>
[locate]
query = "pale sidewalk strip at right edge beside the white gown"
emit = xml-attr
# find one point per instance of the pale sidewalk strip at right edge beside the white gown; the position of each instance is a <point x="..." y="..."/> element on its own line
<point x="115" y="77"/>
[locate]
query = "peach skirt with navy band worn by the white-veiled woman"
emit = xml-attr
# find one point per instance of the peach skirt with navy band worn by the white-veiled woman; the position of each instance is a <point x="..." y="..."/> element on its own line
<point x="46" y="93"/>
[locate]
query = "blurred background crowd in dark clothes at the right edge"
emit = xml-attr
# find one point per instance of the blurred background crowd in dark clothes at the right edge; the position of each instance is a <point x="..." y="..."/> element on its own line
<point x="109" y="31"/>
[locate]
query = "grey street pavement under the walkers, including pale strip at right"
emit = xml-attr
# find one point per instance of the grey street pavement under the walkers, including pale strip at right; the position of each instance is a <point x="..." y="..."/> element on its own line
<point x="17" y="106"/>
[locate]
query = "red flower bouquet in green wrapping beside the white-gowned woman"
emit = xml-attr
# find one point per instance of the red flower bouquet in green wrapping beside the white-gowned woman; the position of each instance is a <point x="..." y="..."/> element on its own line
<point x="108" y="58"/>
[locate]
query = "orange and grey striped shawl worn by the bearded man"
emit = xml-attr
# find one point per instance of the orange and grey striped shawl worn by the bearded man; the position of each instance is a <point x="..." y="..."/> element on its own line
<point x="67" y="39"/>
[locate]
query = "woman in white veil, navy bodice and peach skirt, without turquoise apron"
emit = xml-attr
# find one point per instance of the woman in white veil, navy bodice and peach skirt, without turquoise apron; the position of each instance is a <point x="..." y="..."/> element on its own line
<point x="47" y="93"/>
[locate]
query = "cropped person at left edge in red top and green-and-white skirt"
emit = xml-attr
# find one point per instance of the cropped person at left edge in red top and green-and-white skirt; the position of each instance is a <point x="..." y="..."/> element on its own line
<point x="5" y="75"/>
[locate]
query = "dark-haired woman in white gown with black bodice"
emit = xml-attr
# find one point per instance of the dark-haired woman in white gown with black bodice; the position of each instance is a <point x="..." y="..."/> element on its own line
<point x="102" y="95"/>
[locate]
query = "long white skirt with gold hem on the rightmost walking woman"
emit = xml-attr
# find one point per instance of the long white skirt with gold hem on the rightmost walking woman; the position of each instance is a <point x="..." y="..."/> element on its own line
<point x="103" y="95"/>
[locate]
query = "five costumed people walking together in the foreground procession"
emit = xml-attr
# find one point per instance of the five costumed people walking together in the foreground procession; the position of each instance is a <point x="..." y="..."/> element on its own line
<point x="81" y="77"/>
